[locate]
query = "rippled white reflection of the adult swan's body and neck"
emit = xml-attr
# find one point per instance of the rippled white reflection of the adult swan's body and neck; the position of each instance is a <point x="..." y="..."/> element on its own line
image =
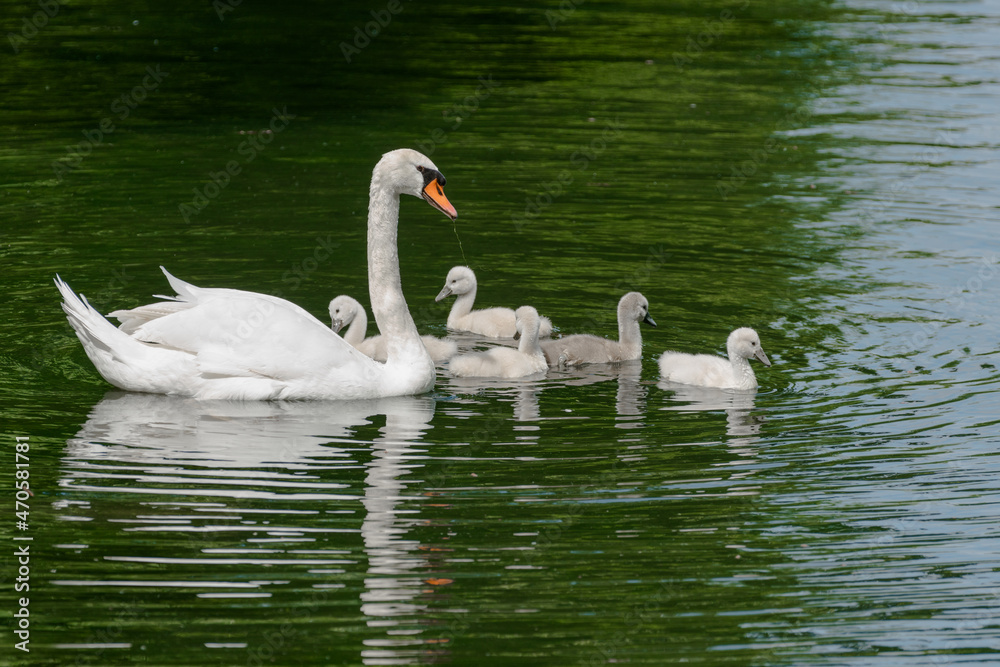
<point x="223" y="457"/>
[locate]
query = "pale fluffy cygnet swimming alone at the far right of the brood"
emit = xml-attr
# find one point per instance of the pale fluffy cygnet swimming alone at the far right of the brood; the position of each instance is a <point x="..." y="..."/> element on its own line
<point x="707" y="370"/>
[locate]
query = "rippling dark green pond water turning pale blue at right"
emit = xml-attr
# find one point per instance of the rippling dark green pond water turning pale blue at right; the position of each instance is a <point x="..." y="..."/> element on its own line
<point x="823" y="172"/>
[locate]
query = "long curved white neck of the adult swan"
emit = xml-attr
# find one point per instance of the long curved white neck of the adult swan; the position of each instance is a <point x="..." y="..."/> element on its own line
<point x="384" y="285"/>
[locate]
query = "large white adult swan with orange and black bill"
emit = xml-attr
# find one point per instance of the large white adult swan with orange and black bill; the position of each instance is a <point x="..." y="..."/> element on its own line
<point x="236" y="345"/>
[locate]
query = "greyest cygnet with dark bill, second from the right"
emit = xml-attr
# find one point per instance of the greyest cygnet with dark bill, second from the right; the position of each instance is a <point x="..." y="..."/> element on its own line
<point x="577" y="349"/>
